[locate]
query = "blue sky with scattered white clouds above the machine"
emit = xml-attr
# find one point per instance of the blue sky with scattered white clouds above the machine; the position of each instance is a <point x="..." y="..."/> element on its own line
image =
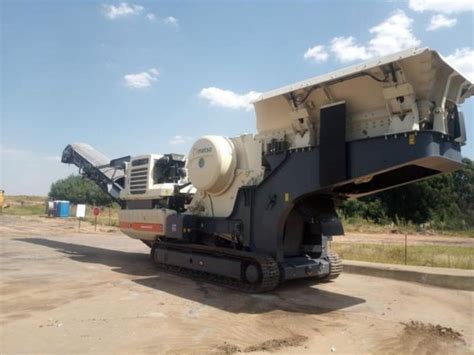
<point x="149" y="77"/>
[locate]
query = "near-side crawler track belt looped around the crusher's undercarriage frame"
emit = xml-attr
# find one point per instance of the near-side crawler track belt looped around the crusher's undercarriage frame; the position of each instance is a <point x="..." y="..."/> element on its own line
<point x="270" y="273"/>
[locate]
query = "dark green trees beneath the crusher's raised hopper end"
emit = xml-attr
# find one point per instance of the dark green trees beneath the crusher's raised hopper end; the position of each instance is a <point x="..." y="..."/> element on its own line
<point x="446" y="201"/>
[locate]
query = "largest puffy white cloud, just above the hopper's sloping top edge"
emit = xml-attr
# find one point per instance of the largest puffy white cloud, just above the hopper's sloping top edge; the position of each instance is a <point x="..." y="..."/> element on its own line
<point x="390" y="36"/>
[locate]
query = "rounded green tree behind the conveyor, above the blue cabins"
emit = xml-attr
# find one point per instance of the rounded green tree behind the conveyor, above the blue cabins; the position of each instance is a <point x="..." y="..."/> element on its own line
<point x="77" y="189"/>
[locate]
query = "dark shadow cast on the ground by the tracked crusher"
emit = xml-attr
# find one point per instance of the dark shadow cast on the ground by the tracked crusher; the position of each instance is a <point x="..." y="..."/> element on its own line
<point x="296" y="296"/>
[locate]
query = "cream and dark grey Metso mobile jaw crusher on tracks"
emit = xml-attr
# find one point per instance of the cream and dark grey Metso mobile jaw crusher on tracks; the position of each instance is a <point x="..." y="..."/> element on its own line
<point x="253" y="211"/>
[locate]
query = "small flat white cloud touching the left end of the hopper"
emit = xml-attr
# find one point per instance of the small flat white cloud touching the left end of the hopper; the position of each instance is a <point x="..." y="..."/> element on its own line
<point x="229" y="99"/>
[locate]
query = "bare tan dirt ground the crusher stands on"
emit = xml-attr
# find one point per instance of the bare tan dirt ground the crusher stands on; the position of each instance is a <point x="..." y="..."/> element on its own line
<point x="64" y="291"/>
